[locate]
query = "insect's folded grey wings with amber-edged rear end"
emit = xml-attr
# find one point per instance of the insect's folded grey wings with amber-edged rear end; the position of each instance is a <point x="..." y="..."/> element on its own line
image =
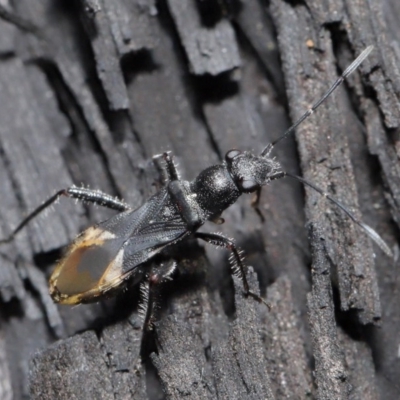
<point x="106" y="255"/>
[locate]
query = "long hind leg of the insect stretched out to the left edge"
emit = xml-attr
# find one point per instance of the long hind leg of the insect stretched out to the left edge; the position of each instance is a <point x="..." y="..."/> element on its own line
<point x="82" y="194"/>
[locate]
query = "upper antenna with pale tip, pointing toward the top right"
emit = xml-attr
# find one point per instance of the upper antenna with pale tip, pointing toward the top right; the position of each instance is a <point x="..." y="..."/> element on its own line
<point x="351" y="68"/>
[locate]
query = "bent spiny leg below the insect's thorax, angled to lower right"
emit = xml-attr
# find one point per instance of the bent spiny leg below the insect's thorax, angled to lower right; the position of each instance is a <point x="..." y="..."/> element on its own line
<point x="236" y="259"/>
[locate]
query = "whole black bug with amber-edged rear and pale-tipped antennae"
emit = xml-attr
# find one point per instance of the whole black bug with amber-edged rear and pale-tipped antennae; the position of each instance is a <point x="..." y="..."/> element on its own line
<point x="106" y="255"/>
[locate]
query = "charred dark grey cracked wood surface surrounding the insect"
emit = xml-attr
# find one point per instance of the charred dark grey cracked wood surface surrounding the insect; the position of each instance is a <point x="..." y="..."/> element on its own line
<point x="90" y="90"/>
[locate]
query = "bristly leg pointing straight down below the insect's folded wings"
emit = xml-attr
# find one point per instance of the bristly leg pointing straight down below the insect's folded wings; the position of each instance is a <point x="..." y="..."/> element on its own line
<point x="149" y="291"/>
